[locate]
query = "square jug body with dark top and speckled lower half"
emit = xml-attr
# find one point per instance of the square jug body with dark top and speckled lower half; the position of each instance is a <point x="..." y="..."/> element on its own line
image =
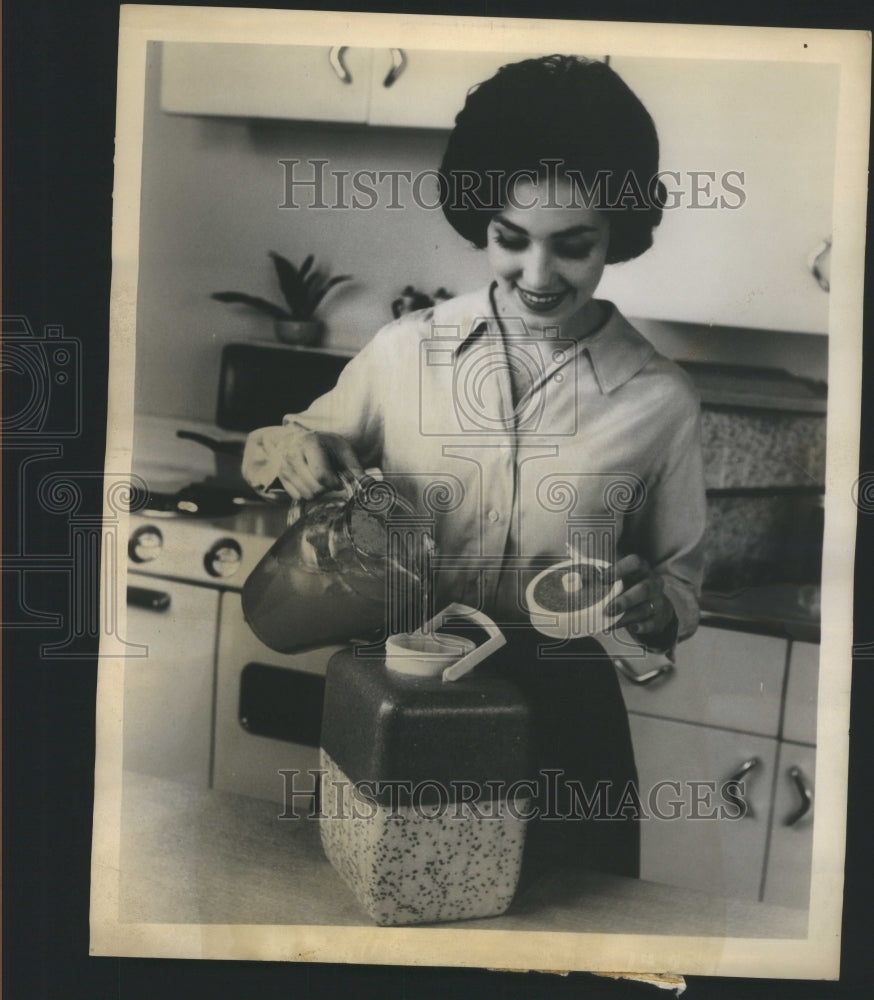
<point x="419" y="813"/>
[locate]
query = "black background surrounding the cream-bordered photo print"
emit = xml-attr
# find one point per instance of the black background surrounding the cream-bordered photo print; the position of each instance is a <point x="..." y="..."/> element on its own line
<point x="59" y="69"/>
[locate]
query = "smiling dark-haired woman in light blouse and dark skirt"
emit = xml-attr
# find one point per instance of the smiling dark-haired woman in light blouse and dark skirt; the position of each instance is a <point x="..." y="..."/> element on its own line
<point x="547" y="420"/>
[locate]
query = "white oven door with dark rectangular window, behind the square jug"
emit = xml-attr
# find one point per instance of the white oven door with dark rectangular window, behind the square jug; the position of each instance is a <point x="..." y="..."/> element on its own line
<point x="268" y="711"/>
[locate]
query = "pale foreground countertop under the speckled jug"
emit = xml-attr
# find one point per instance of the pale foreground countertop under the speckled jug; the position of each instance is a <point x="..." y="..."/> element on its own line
<point x="208" y="857"/>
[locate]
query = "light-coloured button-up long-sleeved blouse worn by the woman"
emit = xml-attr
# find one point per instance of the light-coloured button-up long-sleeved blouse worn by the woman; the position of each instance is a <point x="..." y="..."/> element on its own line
<point x="520" y="449"/>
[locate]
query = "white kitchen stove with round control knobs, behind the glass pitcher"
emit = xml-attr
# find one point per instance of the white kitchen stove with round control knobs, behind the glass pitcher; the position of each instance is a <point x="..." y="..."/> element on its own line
<point x="210" y="705"/>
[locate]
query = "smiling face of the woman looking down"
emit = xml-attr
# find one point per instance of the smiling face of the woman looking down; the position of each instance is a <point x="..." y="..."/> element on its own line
<point x="547" y="254"/>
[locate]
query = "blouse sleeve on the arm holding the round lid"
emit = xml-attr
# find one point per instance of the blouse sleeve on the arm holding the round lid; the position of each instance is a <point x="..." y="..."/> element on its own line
<point x="668" y="531"/>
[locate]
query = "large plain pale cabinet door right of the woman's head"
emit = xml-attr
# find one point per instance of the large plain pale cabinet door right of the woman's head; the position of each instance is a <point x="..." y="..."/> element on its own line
<point x="717" y="258"/>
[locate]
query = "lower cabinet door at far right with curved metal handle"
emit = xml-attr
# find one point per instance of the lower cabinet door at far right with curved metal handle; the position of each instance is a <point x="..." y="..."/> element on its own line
<point x="787" y="880"/>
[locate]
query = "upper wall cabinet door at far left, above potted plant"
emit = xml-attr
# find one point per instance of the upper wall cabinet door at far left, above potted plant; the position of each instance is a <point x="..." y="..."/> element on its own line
<point x="264" y="81"/>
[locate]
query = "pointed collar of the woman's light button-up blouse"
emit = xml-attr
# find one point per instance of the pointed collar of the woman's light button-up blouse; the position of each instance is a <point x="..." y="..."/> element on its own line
<point x="616" y="351"/>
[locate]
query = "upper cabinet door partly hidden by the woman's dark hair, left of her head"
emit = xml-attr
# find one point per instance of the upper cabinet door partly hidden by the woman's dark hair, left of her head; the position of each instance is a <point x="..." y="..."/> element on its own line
<point x="432" y="85"/>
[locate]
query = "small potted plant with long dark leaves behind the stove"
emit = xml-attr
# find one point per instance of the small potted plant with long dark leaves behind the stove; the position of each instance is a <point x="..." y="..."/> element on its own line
<point x="302" y="288"/>
